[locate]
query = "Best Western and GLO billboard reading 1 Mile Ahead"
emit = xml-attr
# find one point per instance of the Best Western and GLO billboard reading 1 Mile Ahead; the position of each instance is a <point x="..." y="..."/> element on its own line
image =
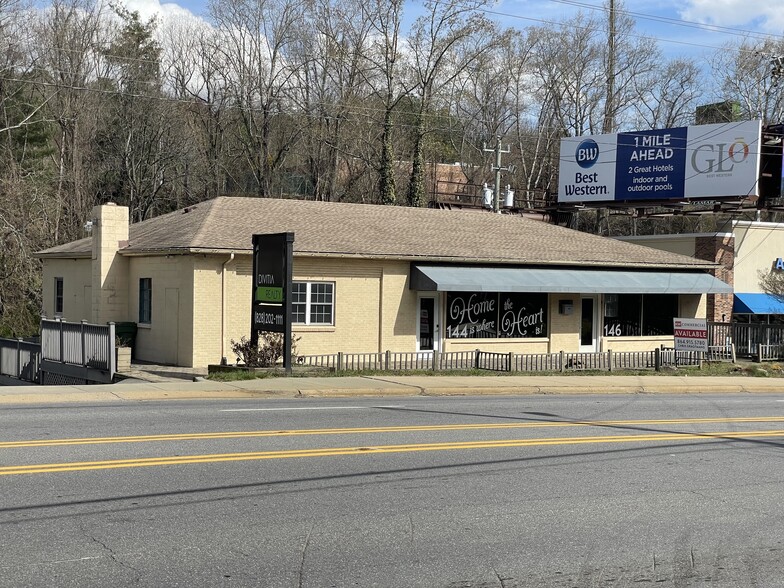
<point x="697" y="162"/>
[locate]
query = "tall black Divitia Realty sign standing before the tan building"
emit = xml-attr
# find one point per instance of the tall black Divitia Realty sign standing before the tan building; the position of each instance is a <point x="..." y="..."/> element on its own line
<point x="271" y="298"/>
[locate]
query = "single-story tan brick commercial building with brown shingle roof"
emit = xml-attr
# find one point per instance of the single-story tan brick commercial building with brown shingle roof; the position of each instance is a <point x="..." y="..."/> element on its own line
<point x="372" y="278"/>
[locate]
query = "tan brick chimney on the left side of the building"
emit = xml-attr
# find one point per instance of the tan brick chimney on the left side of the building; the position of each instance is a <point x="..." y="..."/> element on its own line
<point x="109" y="268"/>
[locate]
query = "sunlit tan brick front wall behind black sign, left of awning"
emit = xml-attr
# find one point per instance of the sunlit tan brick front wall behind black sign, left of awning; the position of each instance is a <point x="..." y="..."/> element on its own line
<point x="360" y="286"/>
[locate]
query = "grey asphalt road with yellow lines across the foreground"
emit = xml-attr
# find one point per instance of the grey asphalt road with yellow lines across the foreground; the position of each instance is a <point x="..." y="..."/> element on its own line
<point x="567" y="491"/>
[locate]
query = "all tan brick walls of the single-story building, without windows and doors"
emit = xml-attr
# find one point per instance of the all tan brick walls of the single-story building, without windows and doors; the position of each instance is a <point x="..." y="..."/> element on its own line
<point x="375" y="310"/>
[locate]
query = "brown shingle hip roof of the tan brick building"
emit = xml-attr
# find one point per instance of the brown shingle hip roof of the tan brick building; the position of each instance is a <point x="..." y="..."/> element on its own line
<point x="396" y="232"/>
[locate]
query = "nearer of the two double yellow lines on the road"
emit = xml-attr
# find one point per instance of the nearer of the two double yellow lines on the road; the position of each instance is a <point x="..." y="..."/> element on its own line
<point x="377" y="449"/>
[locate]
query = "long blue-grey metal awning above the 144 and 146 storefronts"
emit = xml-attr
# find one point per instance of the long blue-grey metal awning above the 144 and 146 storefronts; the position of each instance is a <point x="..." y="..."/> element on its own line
<point x="444" y="278"/>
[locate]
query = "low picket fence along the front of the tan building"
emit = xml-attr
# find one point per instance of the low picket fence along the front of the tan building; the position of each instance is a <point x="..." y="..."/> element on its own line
<point x="512" y="362"/>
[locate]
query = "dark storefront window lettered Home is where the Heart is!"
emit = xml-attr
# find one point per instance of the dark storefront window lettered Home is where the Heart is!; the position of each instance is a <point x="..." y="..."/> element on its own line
<point x="484" y="315"/>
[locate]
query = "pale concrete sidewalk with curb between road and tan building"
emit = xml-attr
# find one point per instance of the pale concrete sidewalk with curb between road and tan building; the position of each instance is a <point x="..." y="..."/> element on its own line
<point x="137" y="390"/>
